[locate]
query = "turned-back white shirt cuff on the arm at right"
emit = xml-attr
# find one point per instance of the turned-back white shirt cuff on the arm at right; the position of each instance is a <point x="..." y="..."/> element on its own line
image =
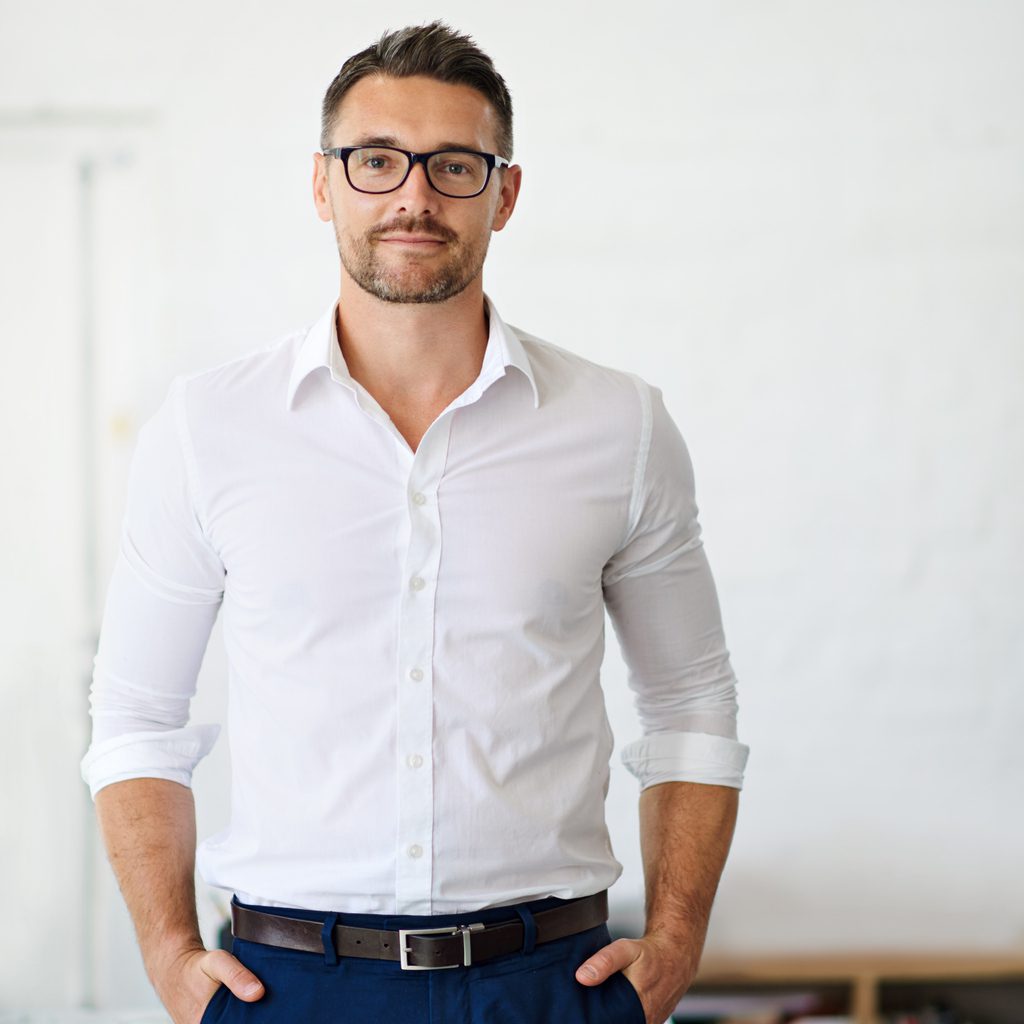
<point x="687" y="757"/>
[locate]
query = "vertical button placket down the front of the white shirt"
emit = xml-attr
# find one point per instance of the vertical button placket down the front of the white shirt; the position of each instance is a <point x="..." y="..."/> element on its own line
<point x="415" y="685"/>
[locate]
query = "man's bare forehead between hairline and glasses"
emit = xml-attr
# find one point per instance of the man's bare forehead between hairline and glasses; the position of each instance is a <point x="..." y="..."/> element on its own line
<point x="419" y="113"/>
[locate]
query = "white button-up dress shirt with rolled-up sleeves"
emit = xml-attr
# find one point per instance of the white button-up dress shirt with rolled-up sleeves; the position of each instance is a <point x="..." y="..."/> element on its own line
<point x="416" y="719"/>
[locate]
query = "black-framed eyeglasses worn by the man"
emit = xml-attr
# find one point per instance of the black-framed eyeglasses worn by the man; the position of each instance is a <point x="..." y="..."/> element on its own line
<point x="457" y="174"/>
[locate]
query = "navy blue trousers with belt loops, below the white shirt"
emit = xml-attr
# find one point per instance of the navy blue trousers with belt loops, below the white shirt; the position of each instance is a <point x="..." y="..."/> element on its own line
<point x="532" y="987"/>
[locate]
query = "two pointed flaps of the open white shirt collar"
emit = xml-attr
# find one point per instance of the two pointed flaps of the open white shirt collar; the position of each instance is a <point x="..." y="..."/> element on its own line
<point x="321" y="349"/>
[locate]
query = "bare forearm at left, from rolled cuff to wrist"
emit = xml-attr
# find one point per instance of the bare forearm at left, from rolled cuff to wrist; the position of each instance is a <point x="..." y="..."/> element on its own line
<point x="149" y="828"/>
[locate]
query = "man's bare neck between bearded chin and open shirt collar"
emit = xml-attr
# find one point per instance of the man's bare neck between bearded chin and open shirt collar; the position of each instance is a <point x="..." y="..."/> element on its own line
<point x="419" y="354"/>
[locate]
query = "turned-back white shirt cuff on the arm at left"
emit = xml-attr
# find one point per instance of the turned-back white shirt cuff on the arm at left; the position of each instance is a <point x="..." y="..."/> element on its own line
<point x="170" y="754"/>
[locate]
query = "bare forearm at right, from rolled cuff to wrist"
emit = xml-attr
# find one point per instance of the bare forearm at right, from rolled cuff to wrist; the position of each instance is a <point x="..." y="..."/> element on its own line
<point x="686" y="833"/>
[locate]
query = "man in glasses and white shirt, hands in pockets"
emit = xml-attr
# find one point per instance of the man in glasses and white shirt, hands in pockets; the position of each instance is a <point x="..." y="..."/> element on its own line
<point x="415" y="517"/>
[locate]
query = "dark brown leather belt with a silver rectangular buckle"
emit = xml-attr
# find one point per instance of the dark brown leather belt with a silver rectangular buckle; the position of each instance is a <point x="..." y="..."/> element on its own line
<point x="422" y="949"/>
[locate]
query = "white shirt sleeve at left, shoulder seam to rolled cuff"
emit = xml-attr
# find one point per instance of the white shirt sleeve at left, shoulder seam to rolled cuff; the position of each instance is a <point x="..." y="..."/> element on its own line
<point x="163" y="600"/>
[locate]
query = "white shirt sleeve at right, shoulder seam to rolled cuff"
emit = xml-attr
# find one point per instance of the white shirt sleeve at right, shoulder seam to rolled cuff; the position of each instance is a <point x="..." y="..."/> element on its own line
<point x="662" y="600"/>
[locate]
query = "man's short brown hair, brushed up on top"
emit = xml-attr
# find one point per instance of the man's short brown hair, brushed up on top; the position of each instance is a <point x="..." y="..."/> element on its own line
<point x="436" y="52"/>
